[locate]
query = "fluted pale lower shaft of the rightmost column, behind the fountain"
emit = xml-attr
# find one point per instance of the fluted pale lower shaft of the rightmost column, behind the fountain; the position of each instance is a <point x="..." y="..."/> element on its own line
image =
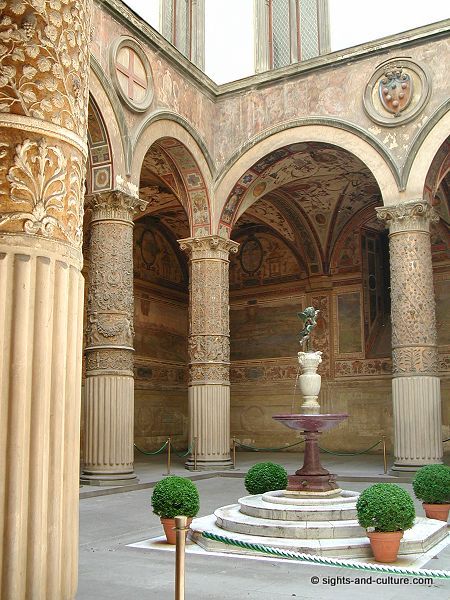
<point x="417" y="422"/>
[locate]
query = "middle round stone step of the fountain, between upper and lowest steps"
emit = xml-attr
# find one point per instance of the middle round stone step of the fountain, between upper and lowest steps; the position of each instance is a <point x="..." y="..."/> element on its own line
<point x="231" y="519"/>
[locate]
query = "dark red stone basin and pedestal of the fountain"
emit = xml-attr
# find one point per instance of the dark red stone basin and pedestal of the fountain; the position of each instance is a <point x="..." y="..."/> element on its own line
<point x="312" y="479"/>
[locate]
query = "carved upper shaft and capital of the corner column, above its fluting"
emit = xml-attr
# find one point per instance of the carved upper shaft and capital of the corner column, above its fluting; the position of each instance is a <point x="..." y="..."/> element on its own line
<point x="209" y="326"/>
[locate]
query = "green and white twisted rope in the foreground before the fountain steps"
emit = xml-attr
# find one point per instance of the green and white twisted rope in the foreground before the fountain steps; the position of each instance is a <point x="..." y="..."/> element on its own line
<point x="322" y="560"/>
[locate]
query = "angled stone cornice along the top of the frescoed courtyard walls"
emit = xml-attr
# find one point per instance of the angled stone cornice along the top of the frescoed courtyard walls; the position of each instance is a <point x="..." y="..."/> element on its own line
<point x="143" y="31"/>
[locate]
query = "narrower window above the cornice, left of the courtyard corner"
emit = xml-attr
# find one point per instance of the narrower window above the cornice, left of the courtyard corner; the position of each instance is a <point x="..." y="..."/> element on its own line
<point x="183" y="24"/>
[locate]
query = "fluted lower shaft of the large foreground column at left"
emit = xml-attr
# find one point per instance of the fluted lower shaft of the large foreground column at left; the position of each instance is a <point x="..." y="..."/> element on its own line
<point x="41" y="316"/>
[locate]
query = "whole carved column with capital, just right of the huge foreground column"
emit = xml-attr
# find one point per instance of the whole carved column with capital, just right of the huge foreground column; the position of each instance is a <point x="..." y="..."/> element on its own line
<point x="109" y="393"/>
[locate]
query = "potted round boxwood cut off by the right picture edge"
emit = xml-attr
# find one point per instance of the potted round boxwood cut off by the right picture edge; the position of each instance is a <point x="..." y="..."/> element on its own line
<point x="431" y="484"/>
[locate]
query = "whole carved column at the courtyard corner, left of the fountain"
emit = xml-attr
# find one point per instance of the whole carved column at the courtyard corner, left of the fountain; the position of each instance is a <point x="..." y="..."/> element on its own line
<point x="209" y="350"/>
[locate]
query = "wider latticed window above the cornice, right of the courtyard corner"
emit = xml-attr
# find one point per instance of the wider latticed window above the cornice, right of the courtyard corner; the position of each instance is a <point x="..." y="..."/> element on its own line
<point x="289" y="31"/>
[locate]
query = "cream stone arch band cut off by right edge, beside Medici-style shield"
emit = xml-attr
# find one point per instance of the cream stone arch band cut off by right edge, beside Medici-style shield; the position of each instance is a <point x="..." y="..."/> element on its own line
<point x="423" y="152"/>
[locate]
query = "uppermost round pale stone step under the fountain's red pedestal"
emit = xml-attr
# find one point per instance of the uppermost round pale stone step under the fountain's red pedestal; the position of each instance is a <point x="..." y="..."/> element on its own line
<point x="255" y="506"/>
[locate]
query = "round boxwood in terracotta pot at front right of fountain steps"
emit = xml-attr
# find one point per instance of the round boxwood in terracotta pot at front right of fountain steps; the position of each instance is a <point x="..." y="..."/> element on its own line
<point x="385" y="510"/>
